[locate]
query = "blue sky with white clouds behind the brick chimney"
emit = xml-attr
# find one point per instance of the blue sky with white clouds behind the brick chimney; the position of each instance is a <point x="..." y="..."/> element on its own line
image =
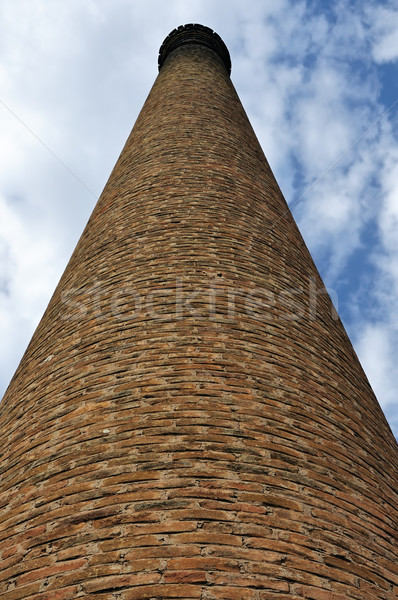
<point x="318" y="80"/>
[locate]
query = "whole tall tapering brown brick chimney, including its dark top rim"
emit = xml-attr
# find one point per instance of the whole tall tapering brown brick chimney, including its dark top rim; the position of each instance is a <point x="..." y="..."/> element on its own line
<point x="190" y="419"/>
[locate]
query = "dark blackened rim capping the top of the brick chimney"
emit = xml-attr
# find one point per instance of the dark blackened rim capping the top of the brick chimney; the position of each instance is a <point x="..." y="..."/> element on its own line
<point x="194" y="34"/>
